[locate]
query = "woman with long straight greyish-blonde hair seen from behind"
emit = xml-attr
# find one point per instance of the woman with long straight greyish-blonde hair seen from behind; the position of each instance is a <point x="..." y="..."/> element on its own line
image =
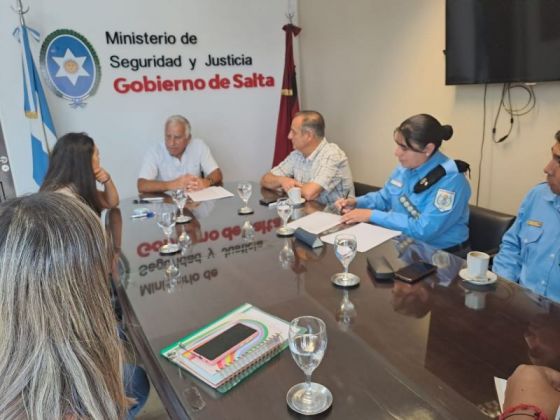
<point x="60" y="355"/>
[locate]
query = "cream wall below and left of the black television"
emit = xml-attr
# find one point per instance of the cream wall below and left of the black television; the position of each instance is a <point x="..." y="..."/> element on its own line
<point x="369" y="64"/>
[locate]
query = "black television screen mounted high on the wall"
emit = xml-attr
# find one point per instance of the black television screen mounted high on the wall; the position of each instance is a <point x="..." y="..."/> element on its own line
<point x="498" y="41"/>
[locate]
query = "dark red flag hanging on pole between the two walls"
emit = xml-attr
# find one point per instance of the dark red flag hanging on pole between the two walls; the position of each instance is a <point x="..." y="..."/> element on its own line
<point x="289" y="104"/>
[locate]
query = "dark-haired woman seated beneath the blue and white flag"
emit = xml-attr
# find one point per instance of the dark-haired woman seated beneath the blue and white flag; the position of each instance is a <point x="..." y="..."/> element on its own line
<point x="74" y="169"/>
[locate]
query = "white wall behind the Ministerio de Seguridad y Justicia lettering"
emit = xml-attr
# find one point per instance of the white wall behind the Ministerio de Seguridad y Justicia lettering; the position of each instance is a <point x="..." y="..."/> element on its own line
<point x="239" y="124"/>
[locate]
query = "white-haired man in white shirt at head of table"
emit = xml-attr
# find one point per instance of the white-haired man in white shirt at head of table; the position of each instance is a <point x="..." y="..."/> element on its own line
<point x="178" y="162"/>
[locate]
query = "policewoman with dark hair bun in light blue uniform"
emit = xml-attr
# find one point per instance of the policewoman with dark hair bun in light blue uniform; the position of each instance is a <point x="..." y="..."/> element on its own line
<point x="426" y="196"/>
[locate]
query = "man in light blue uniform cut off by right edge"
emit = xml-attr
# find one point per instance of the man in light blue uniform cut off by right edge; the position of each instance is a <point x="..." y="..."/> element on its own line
<point x="530" y="250"/>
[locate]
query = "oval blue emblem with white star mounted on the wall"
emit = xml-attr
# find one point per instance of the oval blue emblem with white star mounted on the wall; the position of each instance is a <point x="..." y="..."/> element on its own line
<point x="70" y="65"/>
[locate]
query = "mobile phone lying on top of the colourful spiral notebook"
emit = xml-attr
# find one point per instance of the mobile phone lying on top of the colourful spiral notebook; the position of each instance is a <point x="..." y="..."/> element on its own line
<point x="228" y="340"/>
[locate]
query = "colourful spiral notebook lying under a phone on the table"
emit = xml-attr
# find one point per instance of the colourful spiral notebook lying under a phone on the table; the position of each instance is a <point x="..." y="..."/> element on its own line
<point x="264" y="336"/>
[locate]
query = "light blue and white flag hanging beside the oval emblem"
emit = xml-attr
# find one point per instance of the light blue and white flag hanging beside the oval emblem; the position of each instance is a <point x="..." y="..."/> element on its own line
<point x="35" y="107"/>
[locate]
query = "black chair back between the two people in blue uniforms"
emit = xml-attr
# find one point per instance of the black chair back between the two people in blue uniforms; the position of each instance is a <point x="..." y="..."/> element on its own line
<point x="486" y="228"/>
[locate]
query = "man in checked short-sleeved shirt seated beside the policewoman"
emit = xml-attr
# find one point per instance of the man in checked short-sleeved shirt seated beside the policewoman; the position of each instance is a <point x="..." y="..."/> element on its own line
<point x="318" y="167"/>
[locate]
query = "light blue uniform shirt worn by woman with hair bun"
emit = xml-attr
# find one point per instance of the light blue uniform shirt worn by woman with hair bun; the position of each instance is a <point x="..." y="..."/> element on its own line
<point x="442" y="211"/>
